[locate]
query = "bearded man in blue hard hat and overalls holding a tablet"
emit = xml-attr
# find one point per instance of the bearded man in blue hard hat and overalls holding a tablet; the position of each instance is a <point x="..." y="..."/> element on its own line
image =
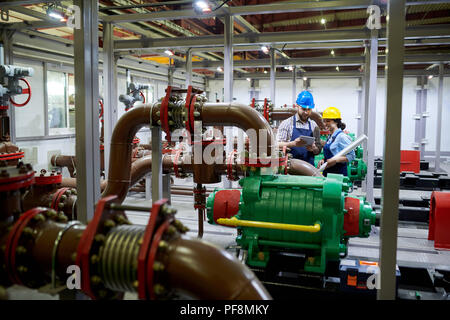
<point x="299" y="133"/>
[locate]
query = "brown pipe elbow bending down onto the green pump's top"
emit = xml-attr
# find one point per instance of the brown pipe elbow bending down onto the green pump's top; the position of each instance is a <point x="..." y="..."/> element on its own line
<point x="241" y="116"/>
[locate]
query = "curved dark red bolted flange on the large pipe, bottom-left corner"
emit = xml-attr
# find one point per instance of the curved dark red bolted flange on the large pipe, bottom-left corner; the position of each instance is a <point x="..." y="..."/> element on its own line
<point x="19" y="261"/>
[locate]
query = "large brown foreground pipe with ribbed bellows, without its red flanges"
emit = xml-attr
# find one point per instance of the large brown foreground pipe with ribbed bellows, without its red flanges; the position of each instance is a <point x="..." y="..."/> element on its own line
<point x="195" y="267"/>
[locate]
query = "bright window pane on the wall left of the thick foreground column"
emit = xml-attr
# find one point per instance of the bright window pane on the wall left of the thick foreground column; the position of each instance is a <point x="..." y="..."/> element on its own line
<point x="61" y="102"/>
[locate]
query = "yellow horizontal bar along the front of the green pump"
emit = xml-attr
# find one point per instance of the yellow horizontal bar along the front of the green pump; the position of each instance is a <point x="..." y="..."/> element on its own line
<point x="269" y="225"/>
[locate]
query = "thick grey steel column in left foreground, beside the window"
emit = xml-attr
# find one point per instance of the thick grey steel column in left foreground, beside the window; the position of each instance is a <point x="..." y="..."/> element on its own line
<point x="86" y="116"/>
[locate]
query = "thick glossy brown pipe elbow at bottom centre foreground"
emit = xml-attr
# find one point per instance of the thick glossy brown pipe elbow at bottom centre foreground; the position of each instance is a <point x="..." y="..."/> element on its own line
<point x="204" y="271"/>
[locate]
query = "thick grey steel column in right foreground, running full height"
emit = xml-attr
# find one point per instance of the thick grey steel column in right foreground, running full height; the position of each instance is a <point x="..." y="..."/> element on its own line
<point x="391" y="154"/>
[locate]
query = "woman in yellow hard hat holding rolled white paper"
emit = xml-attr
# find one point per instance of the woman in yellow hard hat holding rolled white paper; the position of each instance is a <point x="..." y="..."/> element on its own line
<point x="336" y="142"/>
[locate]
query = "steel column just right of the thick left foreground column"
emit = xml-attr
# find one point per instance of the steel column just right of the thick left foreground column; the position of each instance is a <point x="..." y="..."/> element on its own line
<point x="109" y="91"/>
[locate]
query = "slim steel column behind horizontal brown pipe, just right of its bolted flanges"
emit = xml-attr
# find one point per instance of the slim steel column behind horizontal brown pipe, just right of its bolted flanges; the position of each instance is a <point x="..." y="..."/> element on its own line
<point x="228" y="82"/>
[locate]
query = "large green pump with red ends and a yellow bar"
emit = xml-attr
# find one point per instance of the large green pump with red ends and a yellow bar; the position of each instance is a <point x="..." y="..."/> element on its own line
<point x="312" y="215"/>
